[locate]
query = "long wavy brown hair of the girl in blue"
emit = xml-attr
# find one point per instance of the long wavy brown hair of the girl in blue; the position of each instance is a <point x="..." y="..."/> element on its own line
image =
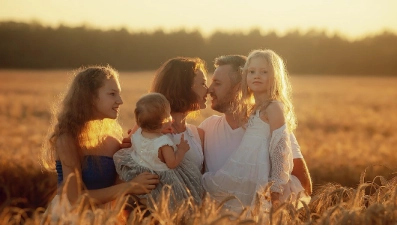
<point x="73" y="116"/>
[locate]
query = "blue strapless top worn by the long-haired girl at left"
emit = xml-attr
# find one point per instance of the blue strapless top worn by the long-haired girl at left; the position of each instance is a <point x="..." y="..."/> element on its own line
<point x="94" y="177"/>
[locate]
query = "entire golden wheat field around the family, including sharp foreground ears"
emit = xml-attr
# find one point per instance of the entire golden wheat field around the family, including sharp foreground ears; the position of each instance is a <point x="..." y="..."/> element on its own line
<point x="347" y="133"/>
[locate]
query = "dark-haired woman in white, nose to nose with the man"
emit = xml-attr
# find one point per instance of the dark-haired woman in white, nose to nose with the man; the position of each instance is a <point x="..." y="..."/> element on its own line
<point x="183" y="82"/>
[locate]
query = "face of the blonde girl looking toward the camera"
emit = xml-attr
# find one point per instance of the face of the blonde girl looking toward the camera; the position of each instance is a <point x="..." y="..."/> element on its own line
<point x="259" y="75"/>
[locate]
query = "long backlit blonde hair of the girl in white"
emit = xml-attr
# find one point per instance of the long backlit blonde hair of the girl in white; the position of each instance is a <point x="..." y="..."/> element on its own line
<point x="280" y="86"/>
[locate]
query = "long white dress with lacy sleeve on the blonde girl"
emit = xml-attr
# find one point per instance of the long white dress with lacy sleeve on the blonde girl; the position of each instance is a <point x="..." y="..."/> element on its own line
<point x="261" y="157"/>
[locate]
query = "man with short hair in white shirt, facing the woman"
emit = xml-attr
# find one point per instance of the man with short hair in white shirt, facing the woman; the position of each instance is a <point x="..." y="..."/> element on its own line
<point x="223" y="134"/>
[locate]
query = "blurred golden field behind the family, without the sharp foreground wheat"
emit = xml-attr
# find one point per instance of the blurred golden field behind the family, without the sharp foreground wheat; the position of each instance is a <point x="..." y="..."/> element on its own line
<point x="347" y="124"/>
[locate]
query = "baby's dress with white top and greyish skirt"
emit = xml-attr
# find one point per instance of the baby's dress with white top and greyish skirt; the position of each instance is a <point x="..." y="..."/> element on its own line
<point x="143" y="157"/>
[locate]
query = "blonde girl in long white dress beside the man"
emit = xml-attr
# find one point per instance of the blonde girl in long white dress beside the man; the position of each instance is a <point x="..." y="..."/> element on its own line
<point x="264" y="156"/>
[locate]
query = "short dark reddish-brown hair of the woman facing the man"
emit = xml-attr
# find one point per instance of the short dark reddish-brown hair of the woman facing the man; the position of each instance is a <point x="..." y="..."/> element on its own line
<point x="174" y="79"/>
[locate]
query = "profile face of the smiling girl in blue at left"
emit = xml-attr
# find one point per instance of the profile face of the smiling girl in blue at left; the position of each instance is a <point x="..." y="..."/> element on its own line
<point x="108" y="101"/>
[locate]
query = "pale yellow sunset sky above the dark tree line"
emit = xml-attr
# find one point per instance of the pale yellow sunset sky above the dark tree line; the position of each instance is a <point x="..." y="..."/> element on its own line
<point x="352" y="18"/>
